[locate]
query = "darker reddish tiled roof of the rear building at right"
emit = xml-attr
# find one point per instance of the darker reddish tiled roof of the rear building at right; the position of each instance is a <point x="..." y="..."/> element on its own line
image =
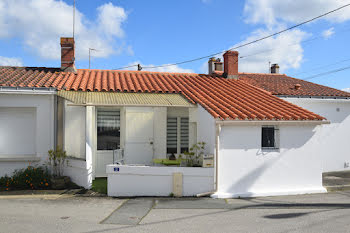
<point x="281" y="84"/>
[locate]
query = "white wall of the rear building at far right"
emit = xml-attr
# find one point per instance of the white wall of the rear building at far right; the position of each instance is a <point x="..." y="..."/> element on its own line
<point x="335" y="148"/>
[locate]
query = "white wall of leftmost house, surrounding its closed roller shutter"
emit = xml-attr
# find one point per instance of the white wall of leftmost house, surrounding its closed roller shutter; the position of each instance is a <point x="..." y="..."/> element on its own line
<point x="43" y="105"/>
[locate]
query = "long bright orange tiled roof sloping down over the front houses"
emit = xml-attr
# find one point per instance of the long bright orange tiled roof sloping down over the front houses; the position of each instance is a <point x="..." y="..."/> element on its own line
<point x="222" y="98"/>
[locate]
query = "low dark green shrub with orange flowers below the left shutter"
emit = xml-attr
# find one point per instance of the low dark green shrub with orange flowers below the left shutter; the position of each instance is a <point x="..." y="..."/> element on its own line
<point x="27" y="178"/>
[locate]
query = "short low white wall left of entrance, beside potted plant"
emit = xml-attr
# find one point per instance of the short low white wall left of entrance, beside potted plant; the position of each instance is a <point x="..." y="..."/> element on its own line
<point x="78" y="172"/>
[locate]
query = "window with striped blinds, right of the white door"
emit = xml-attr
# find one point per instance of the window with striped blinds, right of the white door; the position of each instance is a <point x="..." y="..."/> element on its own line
<point x="177" y="135"/>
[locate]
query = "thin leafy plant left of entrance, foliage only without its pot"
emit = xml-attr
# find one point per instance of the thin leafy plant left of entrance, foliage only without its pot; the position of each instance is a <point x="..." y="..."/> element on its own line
<point x="57" y="159"/>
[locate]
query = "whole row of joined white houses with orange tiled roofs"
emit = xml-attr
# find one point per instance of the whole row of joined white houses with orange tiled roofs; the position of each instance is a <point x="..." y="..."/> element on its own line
<point x="270" y="134"/>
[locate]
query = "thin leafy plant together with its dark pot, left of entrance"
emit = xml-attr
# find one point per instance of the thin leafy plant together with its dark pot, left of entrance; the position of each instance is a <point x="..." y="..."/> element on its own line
<point x="57" y="161"/>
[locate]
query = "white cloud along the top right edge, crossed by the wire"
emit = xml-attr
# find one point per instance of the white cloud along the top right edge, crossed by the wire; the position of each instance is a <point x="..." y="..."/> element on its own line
<point x="271" y="12"/>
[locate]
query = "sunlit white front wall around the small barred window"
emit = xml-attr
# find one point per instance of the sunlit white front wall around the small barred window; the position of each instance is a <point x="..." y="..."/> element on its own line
<point x="245" y="170"/>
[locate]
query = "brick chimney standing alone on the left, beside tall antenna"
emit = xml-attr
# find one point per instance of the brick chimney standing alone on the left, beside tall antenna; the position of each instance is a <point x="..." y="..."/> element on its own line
<point x="68" y="54"/>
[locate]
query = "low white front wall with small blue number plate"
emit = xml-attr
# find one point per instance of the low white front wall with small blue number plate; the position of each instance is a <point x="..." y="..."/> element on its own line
<point x="126" y="180"/>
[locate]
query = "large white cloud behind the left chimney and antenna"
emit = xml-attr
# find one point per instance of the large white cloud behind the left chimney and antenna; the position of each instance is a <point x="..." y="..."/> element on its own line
<point x="40" y="24"/>
